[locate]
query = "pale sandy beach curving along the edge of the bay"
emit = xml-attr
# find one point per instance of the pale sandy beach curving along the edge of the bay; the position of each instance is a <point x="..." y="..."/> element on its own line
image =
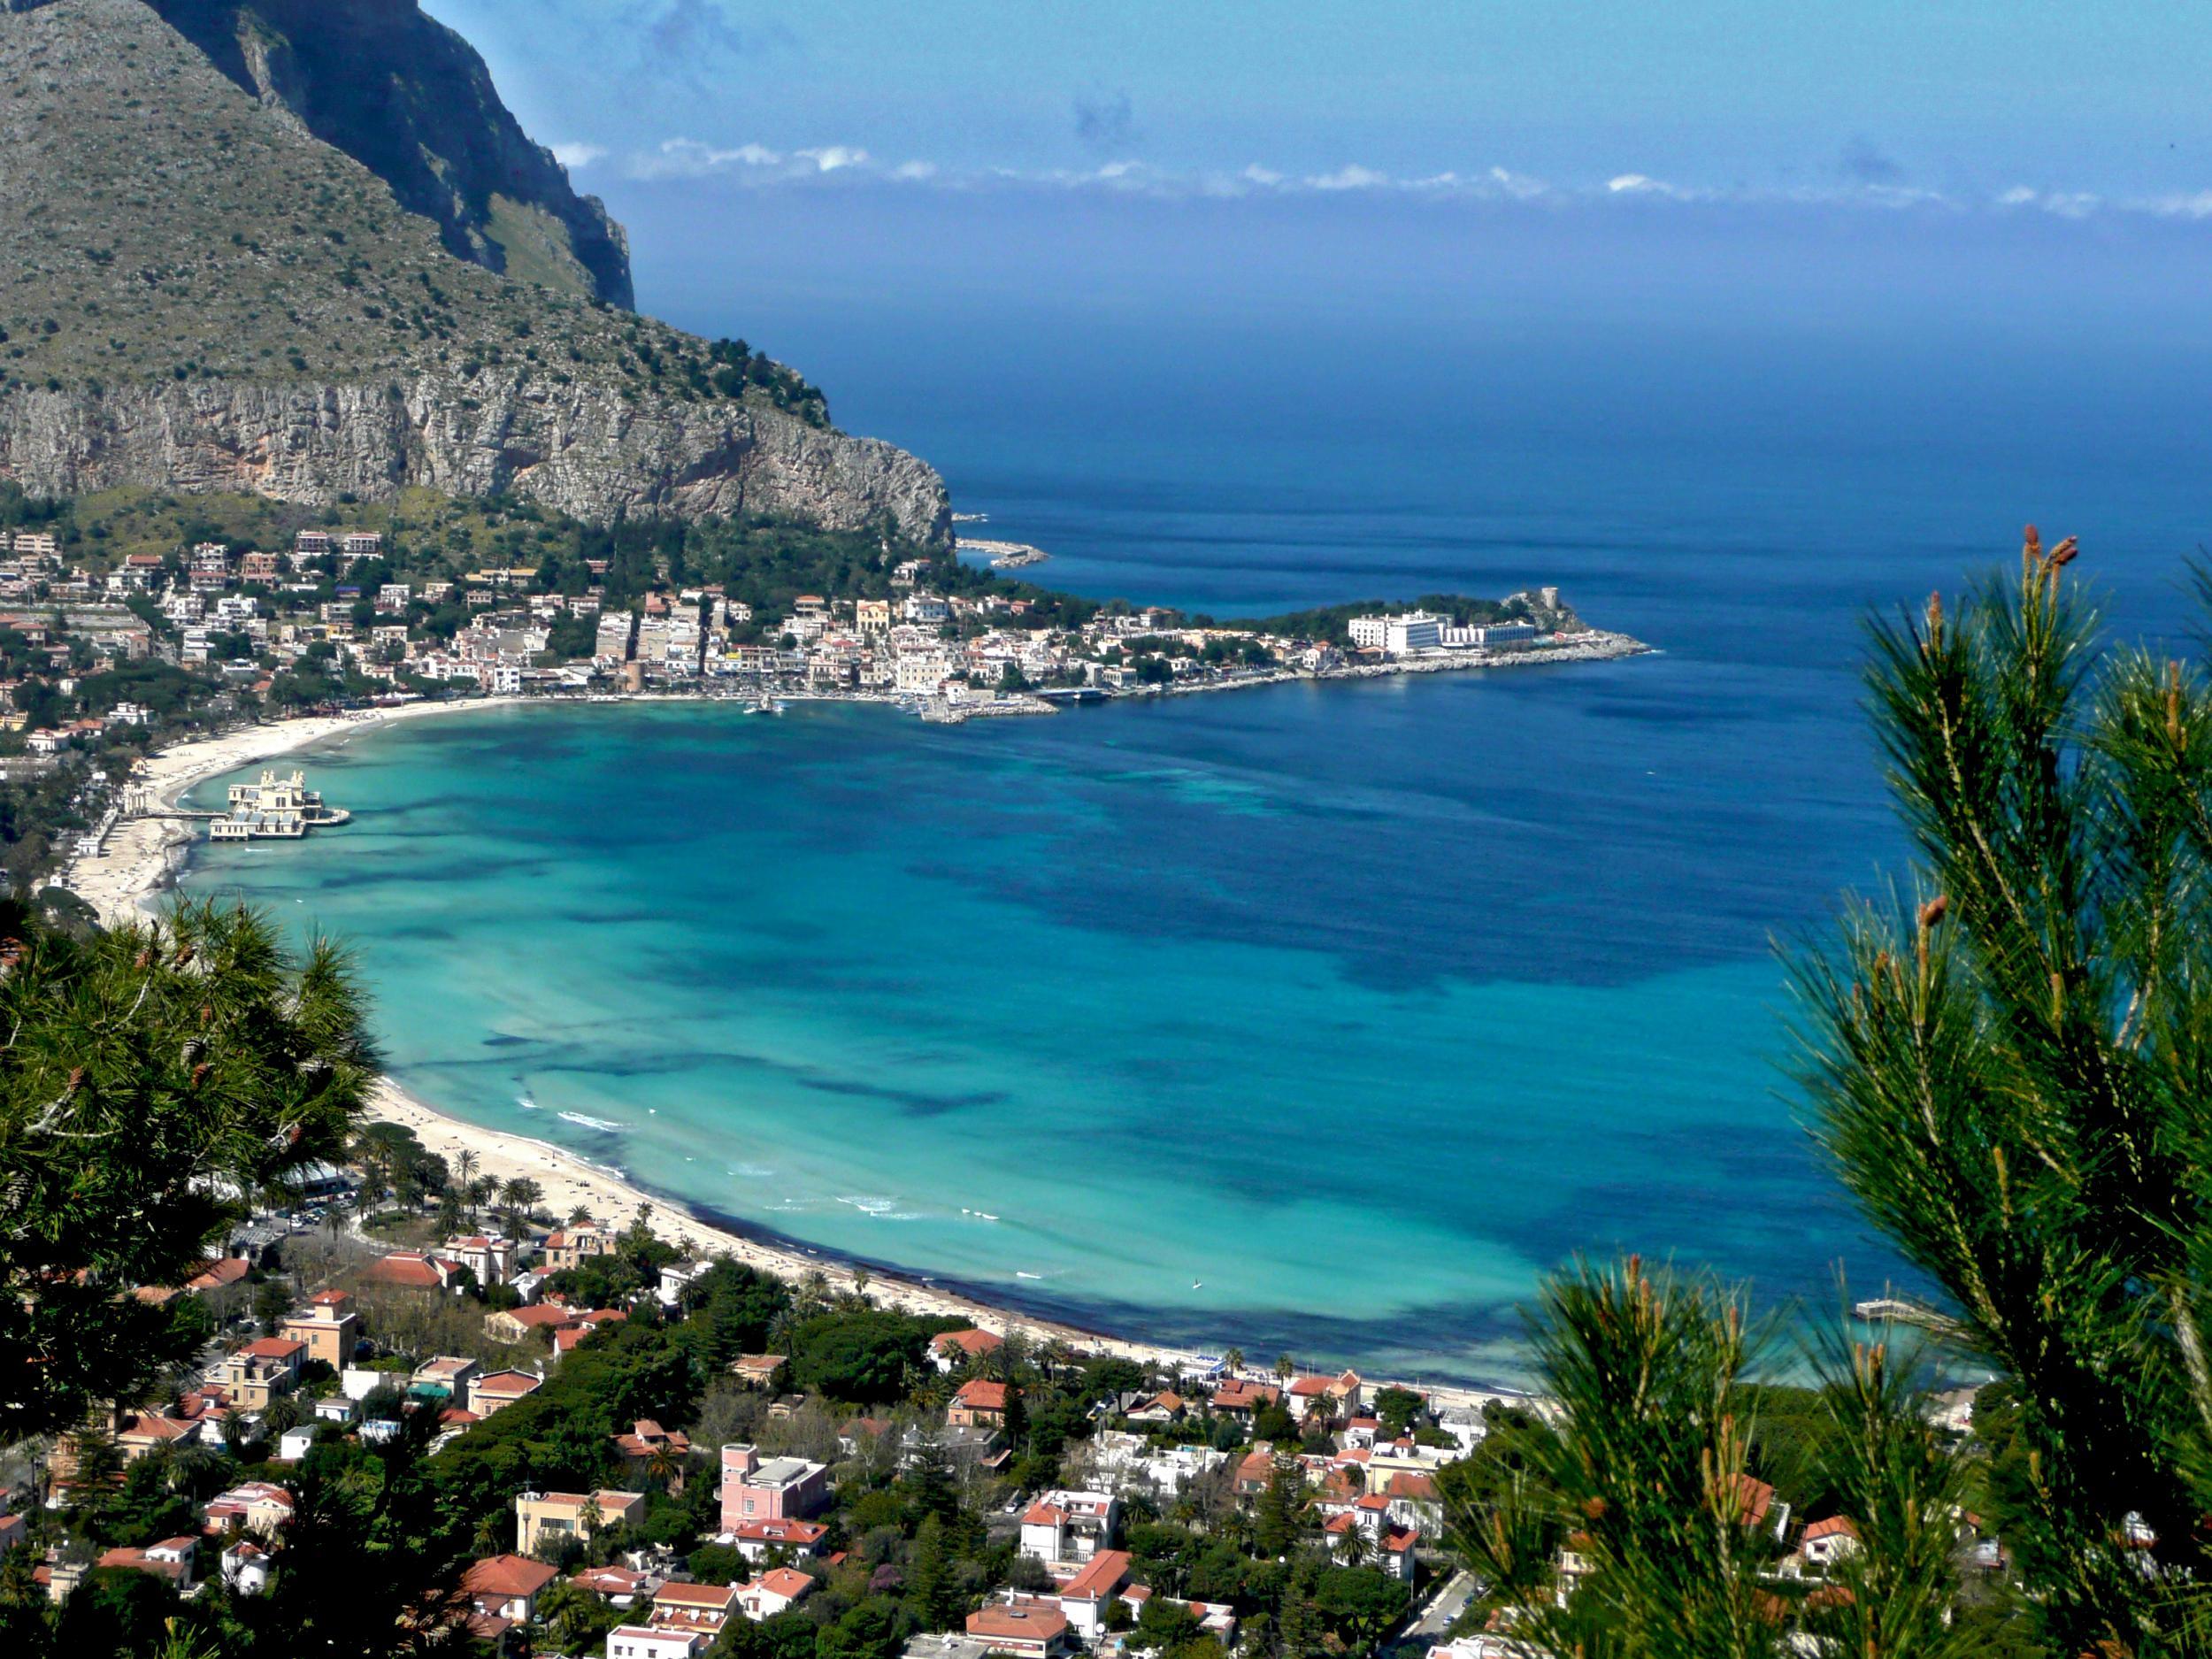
<point x="134" y="873"/>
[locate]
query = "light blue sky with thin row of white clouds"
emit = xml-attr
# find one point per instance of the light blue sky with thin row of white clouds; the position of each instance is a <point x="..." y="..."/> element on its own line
<point x="2063" y="107"/>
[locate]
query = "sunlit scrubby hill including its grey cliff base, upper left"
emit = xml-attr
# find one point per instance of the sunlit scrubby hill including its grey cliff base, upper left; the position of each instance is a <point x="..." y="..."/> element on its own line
<point x="205" y="295"/>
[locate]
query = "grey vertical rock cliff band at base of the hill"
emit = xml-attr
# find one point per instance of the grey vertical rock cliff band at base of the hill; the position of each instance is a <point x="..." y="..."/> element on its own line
<point x="572" y="448"/>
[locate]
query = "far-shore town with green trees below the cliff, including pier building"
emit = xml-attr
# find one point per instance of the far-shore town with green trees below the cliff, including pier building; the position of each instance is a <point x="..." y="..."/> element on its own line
<point x="125" y="636"/>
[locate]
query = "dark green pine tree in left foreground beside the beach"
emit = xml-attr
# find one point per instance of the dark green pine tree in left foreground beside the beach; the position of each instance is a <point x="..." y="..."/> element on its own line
<point x="152" y="1076"/>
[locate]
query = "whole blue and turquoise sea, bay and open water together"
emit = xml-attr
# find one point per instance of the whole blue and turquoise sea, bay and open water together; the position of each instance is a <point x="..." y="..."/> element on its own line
<point x="1317" y="1021"/>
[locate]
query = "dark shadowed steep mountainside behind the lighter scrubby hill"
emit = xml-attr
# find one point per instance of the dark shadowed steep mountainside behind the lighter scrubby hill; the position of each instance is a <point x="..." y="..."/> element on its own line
<point x="413" y="103"/>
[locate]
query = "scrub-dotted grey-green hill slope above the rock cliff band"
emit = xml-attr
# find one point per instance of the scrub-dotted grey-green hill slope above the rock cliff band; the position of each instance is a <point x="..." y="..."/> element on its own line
<point x="205" y="238"/>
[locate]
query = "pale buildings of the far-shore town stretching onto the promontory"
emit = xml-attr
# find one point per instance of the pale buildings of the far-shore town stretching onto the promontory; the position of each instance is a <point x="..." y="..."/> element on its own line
<point x="333" y="607"/>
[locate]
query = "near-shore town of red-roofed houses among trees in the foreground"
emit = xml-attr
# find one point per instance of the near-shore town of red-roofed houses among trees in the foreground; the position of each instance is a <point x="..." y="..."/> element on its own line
<point x="662" y="1454"/>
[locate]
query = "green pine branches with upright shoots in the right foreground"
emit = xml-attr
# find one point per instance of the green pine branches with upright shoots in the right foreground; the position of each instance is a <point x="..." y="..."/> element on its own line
<point x="2010" y="1074"/>
